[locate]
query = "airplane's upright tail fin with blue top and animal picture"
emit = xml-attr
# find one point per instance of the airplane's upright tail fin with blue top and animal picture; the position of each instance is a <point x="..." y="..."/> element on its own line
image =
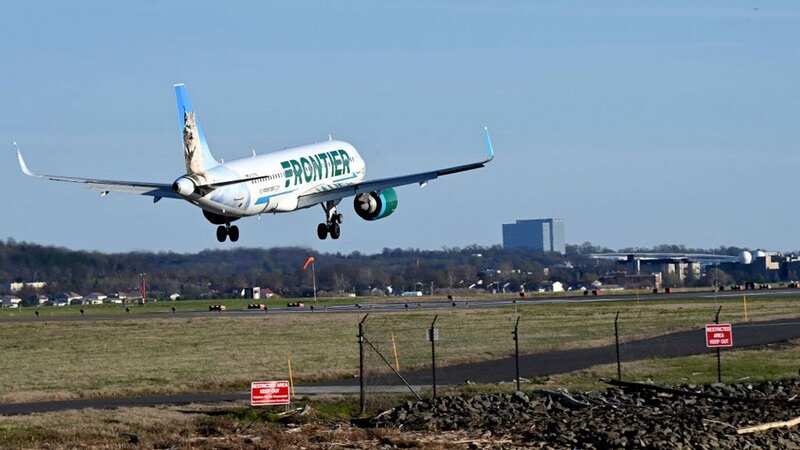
<point x="195" y="147"/>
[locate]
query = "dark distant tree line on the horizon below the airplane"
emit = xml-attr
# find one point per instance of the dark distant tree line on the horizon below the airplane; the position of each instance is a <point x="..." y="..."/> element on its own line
<point x="219" y="273"/>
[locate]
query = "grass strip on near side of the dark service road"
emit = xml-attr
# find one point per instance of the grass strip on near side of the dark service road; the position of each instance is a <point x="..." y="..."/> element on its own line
<point x="236" y="426"/>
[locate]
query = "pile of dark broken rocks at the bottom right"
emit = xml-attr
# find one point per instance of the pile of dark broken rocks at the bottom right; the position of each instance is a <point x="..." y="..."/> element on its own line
<point x="627" y="416"/>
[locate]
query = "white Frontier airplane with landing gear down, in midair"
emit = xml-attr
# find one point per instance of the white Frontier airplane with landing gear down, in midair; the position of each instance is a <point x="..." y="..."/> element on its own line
<point x="278" y="182"/>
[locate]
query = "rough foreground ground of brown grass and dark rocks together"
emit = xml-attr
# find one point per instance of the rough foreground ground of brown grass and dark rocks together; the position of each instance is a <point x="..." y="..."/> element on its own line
<point x="622" y="416"/>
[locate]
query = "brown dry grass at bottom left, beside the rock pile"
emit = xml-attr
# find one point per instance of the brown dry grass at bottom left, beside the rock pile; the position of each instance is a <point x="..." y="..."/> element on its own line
<point x="198" y="427"/>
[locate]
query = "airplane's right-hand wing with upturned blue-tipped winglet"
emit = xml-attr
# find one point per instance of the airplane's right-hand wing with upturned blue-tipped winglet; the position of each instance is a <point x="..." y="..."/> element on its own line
<point x="385" y="183"/>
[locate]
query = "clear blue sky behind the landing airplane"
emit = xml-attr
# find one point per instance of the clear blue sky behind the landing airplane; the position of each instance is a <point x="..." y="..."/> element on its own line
<point x="637" y="122"/>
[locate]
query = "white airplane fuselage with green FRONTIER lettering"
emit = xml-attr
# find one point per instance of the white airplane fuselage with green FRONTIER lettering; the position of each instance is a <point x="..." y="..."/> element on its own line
<point x="277" y="179"/>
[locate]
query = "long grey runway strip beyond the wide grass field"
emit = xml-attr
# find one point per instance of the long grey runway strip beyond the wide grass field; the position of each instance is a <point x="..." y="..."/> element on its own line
<point x="408" y="305"/>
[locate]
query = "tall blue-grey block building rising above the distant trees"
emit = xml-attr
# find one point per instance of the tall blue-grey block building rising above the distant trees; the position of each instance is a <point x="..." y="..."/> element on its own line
<point x="544" y="235"/>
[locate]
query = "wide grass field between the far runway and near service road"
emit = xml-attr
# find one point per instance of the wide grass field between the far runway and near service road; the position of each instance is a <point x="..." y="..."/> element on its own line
<point x="54" y="359"/>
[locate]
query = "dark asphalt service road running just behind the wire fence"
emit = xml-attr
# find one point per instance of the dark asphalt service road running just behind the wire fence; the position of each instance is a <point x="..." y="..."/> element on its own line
<point x="682" y="343"/>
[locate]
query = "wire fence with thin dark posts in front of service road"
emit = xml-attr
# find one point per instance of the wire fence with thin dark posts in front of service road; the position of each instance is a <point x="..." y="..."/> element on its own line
<point x="526" y="344"/>
